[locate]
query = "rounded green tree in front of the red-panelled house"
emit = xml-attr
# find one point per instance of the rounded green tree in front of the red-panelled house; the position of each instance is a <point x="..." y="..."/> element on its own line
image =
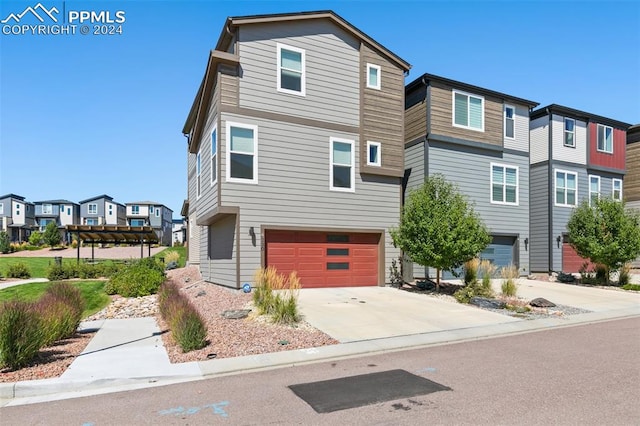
<point x="607" y="233"/>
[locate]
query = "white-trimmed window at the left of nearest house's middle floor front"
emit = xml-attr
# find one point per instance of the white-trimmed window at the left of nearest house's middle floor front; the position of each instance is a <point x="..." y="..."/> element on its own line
<point x="242" y="153"/>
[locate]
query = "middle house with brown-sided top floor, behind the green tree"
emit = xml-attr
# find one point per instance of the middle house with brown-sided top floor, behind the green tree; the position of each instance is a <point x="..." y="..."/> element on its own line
<point x="478" y="139"/>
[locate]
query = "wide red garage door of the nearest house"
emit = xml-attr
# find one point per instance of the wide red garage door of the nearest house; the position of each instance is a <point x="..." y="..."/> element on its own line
<point x="324" y="259"/>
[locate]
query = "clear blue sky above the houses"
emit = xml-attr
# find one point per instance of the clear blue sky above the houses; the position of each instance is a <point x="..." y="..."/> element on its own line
<point x="83" y="115"/>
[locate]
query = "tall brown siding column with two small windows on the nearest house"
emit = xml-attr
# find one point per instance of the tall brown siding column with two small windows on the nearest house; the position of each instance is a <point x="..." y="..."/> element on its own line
<point x="383" y="112"/>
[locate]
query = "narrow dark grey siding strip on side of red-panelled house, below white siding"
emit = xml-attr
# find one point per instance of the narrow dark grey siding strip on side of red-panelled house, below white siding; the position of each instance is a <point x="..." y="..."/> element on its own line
<point x="539" y="218"/>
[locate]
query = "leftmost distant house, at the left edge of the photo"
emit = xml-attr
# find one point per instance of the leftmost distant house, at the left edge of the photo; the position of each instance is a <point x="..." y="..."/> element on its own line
<point x="16" y="217"/>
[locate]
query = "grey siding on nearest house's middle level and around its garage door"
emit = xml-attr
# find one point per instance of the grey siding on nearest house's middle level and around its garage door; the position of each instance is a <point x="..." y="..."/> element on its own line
<point x="301" y="189"/>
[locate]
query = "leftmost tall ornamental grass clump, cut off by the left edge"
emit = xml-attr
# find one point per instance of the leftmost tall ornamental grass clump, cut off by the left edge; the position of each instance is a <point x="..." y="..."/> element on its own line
<point x="20" y="334"/>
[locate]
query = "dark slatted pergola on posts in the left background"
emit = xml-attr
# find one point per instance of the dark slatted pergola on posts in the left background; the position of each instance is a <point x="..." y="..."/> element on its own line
<point x="114" y="234"/>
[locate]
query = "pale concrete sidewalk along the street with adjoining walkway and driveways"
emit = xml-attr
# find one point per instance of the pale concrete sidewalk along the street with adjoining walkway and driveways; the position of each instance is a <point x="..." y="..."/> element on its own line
<point x="129" y="354"/>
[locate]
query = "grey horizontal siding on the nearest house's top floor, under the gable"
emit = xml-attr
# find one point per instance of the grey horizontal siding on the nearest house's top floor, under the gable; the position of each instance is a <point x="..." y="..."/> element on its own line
<point x="332" y="71"/>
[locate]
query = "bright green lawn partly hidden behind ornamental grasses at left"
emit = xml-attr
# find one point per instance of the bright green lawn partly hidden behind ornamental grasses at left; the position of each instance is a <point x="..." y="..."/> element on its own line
<point x="92" y="292"/>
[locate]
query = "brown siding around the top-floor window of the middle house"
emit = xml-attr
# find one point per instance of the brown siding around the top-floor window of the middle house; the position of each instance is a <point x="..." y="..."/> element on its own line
<point x="442" y="117"/>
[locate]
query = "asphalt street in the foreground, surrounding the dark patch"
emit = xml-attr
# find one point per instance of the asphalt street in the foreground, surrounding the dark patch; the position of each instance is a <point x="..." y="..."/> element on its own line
<point x="575" y="375"/>
